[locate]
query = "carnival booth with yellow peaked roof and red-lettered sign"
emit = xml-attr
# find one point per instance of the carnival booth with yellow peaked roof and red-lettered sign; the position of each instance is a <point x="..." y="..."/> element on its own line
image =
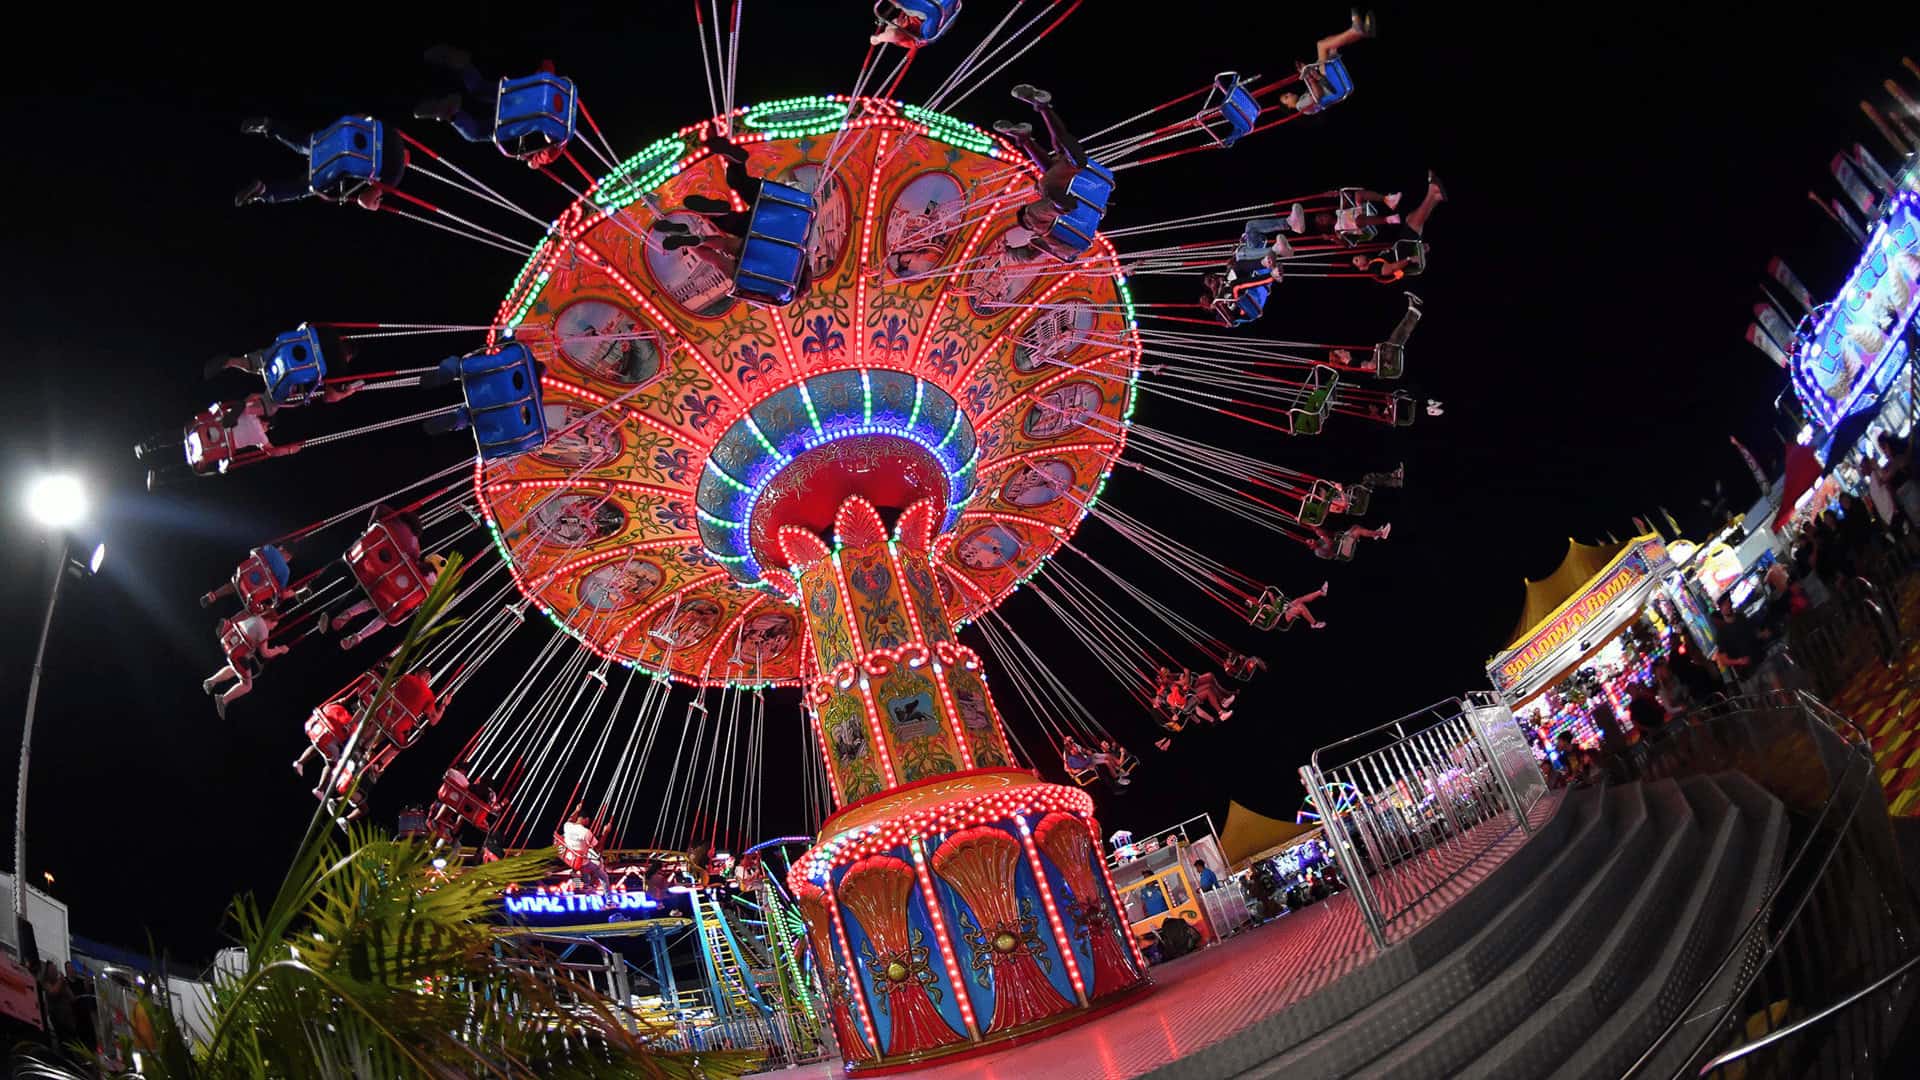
<point x="1589" y="629"/>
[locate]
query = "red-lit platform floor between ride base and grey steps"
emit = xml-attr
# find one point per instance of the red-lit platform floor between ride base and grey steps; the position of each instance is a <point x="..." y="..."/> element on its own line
<point x="1212" y="994"/>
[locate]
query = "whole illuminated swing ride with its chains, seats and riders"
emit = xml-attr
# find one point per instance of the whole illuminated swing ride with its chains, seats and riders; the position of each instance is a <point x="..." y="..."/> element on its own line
<point x="786" y="401"/>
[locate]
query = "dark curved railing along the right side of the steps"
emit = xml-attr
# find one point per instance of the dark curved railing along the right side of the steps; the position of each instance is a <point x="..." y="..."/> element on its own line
<point x="1819" y="979"/>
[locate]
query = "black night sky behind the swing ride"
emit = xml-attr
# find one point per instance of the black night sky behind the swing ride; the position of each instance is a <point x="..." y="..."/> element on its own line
<point x="1620" y="182"/>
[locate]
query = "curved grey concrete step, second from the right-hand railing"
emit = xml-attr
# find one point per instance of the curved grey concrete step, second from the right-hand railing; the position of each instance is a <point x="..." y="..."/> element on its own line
<point x="1543" y="1043"/>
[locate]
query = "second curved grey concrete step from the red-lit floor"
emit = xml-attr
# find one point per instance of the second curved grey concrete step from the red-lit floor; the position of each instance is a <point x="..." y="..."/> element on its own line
<point x="1529" y="916"/>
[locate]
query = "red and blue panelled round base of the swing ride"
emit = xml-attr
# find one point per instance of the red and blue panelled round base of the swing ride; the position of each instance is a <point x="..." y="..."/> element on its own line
<point x="961" y="916"/>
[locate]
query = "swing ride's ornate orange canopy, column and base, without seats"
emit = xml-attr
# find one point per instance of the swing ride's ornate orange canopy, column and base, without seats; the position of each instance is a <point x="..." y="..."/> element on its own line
<point x="819" y="495"/>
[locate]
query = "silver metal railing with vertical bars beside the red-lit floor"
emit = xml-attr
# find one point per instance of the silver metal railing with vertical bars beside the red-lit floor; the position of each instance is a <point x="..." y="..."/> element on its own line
<point x="1416" y="802"/>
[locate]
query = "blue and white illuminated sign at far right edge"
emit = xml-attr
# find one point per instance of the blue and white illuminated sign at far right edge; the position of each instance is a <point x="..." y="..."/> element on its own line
<point x="1854" y="337"/>
